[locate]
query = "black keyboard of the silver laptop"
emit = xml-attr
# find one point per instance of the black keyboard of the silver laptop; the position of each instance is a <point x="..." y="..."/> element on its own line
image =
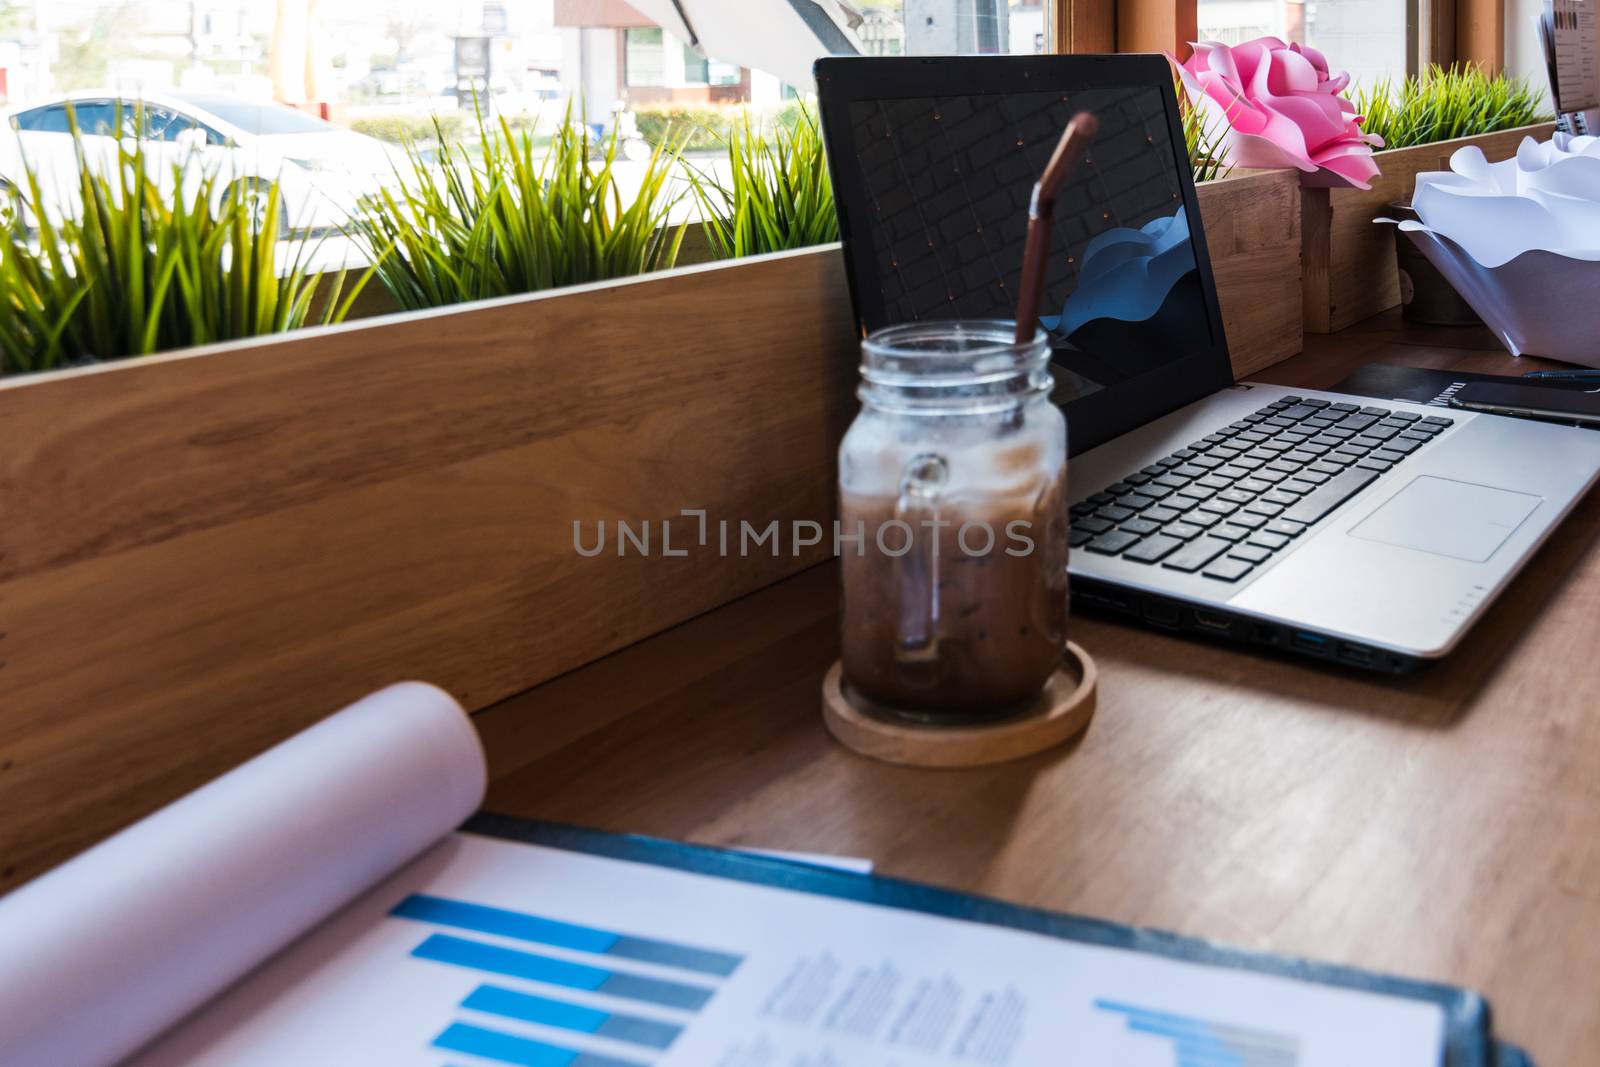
<point x="1228" y="503"/>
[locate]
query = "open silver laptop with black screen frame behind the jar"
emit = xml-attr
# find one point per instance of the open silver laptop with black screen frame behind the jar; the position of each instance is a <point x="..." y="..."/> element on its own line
<point x="1362" y="533"/>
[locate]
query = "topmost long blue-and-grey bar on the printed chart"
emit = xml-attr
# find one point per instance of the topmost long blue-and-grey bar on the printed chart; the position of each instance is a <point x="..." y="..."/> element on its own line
<point x="548" y="932"/>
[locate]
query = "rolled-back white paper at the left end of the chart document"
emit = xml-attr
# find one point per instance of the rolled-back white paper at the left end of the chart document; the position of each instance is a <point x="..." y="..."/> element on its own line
<point x="108" y="951"/>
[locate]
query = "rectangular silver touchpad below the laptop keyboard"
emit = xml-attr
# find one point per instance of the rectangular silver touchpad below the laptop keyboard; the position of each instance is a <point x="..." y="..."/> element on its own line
<point x="1457" y="519"/>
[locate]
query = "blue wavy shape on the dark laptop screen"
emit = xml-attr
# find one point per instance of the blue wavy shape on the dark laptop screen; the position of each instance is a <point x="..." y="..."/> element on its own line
<point x="1127" y="274"/>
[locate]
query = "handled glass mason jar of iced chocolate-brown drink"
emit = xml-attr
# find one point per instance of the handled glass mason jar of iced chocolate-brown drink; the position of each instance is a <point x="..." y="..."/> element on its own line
<point x="954" y="522"/>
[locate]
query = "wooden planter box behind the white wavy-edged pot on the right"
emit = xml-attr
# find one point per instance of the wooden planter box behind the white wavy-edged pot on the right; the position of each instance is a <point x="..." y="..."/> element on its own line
<point x="1350" y="263"/>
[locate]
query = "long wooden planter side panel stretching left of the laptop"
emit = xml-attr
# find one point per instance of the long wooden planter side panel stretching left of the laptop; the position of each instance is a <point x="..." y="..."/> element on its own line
<point x="206" y="553"/>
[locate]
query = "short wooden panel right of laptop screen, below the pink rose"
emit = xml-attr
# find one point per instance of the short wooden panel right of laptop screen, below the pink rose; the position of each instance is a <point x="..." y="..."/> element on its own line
<point x="1254" y="233"/>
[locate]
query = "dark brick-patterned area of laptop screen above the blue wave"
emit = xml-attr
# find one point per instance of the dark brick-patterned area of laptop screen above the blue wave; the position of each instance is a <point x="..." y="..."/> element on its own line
<point x="950" y="183"/>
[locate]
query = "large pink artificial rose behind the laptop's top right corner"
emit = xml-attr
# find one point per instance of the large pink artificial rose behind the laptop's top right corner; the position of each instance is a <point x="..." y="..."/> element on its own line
<point x="1276" y="105"/>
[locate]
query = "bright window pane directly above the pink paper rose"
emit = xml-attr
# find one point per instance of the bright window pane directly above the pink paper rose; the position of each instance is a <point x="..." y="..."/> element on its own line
<point x="1366" y="38"/>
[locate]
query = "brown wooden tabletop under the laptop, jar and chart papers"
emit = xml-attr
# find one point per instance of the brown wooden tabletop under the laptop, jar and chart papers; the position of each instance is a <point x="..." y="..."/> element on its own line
<point x="1442" y="826"/>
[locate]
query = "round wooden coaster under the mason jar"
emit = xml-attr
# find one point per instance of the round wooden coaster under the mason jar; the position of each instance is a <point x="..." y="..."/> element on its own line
<point x="1063" y="709"/>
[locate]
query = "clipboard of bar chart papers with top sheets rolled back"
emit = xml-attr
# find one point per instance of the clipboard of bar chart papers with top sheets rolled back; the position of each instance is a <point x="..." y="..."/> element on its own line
<point x="530" y="946"/>
